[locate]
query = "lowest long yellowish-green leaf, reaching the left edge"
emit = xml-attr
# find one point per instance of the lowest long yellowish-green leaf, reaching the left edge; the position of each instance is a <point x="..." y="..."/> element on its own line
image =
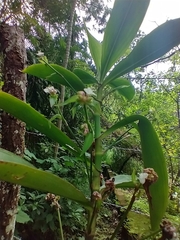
<point x="13" y="169"/>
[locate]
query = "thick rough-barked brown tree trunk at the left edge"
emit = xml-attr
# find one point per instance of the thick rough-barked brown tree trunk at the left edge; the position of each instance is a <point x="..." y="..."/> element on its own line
<point x="13" y="131"/>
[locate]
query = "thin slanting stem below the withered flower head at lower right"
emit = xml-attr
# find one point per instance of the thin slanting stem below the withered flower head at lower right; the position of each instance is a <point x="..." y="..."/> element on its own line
<point x="125" y="214"/>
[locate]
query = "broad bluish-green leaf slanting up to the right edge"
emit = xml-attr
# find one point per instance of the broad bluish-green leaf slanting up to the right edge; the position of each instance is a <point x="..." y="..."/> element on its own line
<point x="151" y="47"/>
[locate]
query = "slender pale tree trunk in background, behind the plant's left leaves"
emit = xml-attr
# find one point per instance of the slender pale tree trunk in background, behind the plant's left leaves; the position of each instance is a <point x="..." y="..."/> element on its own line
<point x="65" y="64"/>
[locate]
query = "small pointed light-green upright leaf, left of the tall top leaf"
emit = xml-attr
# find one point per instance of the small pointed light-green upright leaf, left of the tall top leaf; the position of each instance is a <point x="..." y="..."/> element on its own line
<point x="95" y="48"/>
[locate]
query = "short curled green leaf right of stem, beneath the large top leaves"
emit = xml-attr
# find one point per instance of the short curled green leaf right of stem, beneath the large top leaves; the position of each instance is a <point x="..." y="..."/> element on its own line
<point x="124" y="87"/>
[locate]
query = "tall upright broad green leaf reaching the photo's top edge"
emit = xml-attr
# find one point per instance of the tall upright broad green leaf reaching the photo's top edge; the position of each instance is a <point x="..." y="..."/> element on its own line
<point x="125" y="20"/>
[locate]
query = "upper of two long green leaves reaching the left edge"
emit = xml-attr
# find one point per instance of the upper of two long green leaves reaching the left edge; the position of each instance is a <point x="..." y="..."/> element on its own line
<point x="31" y="117"/>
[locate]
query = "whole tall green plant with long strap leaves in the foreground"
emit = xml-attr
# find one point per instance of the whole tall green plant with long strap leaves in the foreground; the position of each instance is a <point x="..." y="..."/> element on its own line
<point x="124" y="22"/>
